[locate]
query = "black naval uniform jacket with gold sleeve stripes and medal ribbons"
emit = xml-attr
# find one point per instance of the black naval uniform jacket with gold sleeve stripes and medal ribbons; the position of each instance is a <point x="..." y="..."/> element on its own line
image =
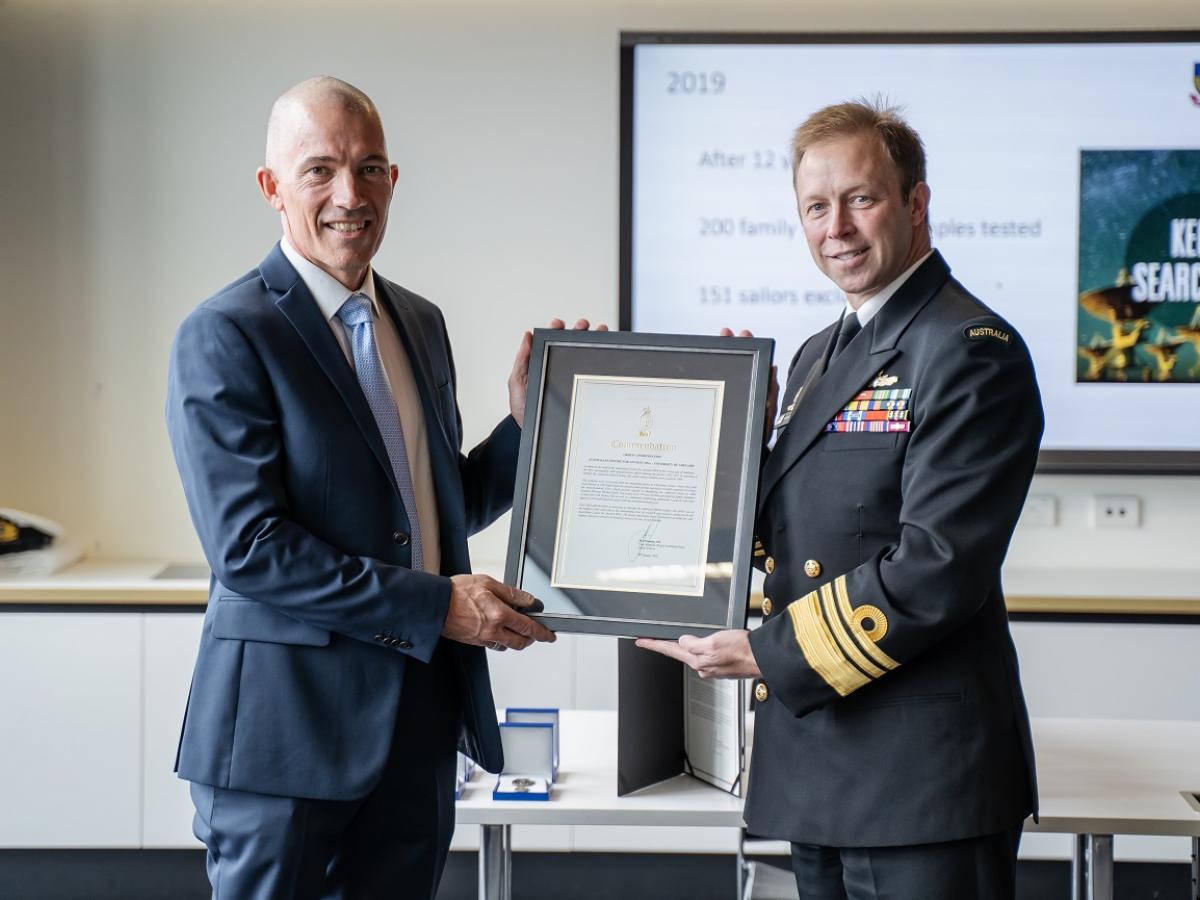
<point x="890" y="709"/>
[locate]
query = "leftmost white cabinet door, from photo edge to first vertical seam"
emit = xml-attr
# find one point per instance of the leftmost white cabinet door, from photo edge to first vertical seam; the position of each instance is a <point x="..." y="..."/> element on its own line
<point x="70" y="730"/>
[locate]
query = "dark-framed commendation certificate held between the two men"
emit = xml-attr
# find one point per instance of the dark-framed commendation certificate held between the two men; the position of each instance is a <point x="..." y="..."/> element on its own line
<point x="634" y="506"/>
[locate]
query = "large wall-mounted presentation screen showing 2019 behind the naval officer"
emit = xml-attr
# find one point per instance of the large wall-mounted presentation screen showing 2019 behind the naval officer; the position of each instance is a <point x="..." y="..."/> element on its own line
<point x="1065" y="173"/>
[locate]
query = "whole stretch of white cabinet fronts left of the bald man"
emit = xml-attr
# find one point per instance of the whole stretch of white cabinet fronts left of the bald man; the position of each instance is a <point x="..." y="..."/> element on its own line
<point x="91" y="709"/>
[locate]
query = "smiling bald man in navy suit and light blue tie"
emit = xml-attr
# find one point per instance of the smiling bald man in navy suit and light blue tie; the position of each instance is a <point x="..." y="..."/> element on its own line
<point x="313" y="413"/>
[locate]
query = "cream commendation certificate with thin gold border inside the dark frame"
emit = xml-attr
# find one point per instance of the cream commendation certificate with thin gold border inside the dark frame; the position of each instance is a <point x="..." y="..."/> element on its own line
<point x="638" y="485"/>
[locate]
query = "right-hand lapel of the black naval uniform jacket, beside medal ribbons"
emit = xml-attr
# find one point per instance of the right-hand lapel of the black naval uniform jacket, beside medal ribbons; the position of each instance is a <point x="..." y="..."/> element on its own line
<point x="825" y="395"/>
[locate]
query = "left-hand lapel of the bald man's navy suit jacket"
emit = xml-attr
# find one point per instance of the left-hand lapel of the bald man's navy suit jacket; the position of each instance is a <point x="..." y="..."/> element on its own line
<point x="301" y="309"/>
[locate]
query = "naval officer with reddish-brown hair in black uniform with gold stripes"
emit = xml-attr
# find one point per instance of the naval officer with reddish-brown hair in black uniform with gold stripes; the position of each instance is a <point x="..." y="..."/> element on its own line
<point x="892" y="743"/>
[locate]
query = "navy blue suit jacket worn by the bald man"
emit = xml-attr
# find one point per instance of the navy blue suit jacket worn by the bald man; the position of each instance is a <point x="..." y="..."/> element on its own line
<point x="314" y="610"/>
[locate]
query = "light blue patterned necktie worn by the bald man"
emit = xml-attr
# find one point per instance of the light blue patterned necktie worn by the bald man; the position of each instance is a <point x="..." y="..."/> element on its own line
<point x="357" y="315"/>
